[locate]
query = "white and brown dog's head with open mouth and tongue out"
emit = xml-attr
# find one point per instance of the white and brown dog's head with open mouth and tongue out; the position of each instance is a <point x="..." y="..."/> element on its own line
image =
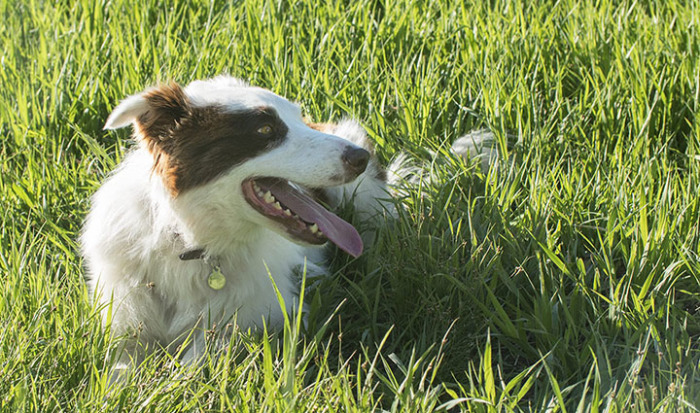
<point x="221" y="142"/>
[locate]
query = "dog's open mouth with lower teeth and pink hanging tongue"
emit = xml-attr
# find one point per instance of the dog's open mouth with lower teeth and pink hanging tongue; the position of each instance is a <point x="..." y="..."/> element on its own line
<point x="302" y="217"/>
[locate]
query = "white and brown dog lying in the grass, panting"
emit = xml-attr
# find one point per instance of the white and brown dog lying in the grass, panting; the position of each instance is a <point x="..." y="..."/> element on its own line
<point x="217" y="209"/>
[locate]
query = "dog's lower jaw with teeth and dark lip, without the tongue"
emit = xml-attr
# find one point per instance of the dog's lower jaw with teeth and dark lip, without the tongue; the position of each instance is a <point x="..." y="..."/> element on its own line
<point x="257" y="192"/>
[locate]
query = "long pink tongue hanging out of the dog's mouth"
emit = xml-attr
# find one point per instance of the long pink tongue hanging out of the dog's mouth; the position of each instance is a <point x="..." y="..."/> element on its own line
<point x="340" y="232"/>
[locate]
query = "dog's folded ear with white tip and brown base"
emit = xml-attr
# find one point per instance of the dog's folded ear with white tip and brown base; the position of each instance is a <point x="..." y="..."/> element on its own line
<point x="153" y="112"/>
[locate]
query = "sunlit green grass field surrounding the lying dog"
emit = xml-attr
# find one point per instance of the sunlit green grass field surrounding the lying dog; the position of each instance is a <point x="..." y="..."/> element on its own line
<point x="567" y="278"/>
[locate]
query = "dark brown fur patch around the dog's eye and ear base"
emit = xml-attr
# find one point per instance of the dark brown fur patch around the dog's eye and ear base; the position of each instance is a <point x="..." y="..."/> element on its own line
<point x="194" y="145"/>
